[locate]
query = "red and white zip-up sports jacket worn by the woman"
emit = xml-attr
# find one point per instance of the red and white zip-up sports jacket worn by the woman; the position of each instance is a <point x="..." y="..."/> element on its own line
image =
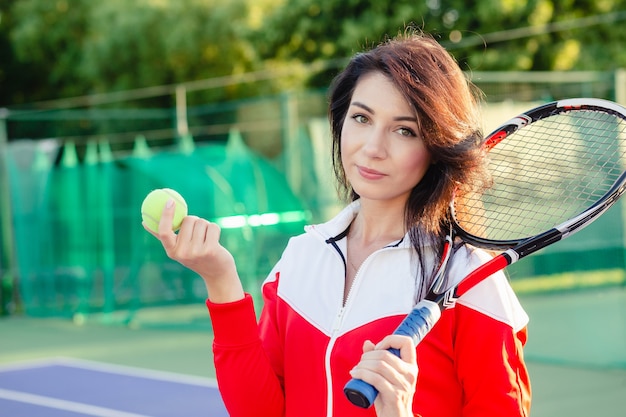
<point x="294" y="362"/>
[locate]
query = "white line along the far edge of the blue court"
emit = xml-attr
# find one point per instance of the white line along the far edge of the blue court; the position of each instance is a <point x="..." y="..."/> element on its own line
<point x="113" y="369"/>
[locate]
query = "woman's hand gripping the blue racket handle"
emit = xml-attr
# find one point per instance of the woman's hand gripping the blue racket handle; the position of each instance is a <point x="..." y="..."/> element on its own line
<point x="394" y="378"/>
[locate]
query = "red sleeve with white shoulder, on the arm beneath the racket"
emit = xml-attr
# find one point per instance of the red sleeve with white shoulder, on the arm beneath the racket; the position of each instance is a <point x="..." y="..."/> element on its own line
<point x="489" y="335"/>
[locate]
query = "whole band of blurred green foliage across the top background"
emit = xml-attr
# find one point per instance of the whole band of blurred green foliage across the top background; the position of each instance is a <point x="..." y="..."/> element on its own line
<point x="62" y="48"/>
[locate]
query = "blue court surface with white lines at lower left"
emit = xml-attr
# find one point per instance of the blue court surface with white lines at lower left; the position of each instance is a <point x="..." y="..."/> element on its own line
<point x="76" y="388"/>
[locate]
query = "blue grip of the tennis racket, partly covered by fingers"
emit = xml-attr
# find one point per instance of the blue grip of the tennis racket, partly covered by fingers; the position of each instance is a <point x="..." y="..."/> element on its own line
<point x="416" y="325"/>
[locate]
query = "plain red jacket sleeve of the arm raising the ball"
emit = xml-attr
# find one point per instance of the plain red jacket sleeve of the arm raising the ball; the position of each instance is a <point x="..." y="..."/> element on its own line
<point x="248" y="384"/>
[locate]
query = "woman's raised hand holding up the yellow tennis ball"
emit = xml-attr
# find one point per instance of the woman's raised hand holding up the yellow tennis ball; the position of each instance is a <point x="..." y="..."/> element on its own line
<point x="197" y="247"/>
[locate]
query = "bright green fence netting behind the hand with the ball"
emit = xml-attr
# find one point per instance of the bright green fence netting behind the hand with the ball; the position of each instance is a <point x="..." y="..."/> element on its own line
<point x="80" y="246"/>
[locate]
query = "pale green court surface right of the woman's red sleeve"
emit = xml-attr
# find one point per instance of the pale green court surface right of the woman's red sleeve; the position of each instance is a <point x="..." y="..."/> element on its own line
<point x="576" y="352"/>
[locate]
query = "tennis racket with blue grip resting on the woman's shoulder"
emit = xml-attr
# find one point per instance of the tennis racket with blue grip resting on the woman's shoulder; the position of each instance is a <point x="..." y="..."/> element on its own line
<point x="555" y="169"/>
